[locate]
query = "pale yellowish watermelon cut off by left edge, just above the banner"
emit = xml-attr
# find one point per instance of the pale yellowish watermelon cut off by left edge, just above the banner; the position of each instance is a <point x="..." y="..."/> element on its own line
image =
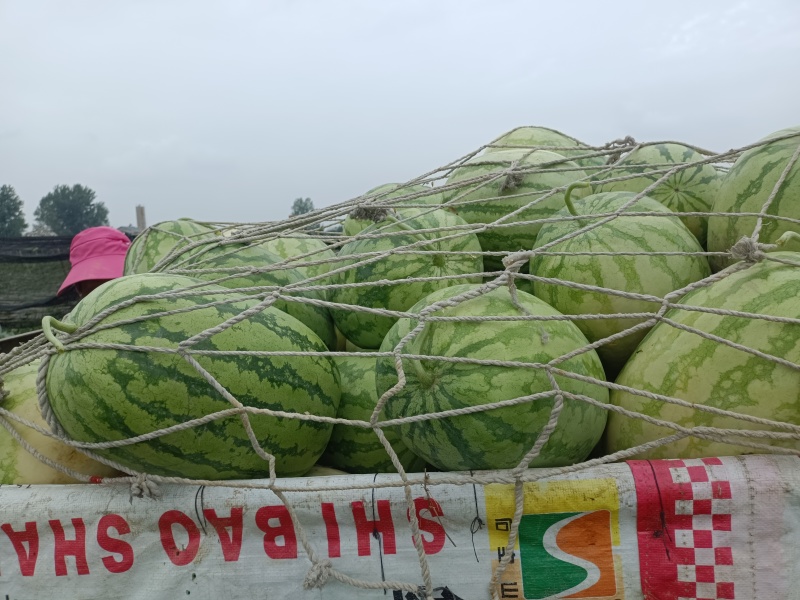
<point x="17" y="465"/>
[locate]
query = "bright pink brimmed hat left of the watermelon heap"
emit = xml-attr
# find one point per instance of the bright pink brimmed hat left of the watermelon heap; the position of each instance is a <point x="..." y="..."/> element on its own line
<point x="96" y="253"/>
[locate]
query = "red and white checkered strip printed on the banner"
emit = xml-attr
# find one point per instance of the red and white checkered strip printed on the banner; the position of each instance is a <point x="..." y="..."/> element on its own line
<point x="702" y="530"/>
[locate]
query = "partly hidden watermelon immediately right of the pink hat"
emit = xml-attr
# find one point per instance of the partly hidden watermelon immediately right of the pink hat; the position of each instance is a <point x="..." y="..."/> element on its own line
<point x="156" y="242"/>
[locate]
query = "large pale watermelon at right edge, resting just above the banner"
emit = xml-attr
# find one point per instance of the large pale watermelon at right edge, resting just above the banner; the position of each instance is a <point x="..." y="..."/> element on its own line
<point x="682" y="364"/>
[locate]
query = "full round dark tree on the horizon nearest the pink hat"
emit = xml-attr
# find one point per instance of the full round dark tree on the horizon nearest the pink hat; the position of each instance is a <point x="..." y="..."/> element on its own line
<point x="68" y="210"/>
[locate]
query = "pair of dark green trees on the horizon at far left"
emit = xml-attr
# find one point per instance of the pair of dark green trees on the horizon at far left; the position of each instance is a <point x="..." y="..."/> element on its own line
<point x="65" y="211"/>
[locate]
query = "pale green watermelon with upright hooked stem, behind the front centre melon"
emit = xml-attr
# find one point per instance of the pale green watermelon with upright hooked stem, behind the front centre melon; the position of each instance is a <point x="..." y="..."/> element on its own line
<point x="644" y="274"/>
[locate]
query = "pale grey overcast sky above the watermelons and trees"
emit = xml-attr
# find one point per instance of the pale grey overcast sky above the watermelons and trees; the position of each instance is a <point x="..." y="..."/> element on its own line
<point x="229" y="110"/>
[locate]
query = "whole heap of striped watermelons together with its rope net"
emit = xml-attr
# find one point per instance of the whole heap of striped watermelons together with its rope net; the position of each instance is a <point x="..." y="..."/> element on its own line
<point x="536" y="303"/>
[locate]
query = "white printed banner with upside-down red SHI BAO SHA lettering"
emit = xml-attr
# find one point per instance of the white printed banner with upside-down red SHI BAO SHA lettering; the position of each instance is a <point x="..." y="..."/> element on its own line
<point x="717" y="528"/>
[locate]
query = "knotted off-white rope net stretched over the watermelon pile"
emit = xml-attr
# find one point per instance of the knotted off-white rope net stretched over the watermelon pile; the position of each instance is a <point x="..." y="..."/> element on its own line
<point x="759" y="434"/>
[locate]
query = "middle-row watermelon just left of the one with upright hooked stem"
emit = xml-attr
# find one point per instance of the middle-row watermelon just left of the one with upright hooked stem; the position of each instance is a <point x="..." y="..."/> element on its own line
<point x="397" y="230"/>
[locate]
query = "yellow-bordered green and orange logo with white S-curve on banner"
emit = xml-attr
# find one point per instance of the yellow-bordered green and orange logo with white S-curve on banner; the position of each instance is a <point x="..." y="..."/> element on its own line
<point x="567" y="543"/>
